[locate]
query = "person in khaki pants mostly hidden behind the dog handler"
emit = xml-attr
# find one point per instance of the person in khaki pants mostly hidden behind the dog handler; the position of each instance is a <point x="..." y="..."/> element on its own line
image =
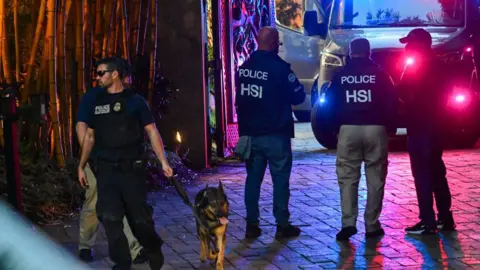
<point x="88" y="216"/>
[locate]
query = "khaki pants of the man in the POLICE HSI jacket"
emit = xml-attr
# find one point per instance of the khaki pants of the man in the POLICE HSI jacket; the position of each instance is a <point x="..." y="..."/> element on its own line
<point x="357" y="144"/>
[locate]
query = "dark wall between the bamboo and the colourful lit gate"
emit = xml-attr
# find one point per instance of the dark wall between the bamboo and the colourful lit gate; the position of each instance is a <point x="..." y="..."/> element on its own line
<point x="181" y="52"/>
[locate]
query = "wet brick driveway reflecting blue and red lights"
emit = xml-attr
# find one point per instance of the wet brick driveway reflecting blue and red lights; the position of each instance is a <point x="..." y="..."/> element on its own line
<point x="315" y="207"/>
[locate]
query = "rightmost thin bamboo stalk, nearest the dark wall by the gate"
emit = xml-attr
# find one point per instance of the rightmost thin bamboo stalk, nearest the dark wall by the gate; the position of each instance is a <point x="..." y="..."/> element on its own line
<point x="153" y="51"/>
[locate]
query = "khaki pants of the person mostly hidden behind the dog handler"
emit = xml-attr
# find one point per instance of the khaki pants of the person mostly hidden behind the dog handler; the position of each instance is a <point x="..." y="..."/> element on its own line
<point x="89" y="221"/>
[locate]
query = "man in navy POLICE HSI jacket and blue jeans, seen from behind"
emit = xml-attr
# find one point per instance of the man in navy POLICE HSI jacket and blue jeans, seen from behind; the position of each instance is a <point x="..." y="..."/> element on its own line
<point x="266" y="89"/>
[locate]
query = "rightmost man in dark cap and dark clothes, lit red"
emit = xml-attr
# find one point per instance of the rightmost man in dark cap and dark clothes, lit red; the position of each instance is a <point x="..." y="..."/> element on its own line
<point x="425" y="96"/>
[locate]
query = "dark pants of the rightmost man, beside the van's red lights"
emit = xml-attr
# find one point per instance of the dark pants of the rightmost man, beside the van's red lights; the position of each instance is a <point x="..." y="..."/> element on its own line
<point x="429" y="173"/>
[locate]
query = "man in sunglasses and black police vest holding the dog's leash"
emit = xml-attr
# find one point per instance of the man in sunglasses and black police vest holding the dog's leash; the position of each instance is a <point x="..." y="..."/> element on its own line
<point x="119" y="119"/>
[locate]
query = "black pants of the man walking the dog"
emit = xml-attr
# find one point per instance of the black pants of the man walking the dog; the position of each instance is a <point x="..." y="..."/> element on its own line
<point x="122" y="191"/>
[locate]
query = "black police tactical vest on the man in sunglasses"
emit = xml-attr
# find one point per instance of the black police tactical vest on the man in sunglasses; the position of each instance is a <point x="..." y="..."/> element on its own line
<point x="118" y="134"/>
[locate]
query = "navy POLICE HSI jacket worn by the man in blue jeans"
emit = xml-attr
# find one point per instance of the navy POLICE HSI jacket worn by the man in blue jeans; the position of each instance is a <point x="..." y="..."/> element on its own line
<point x="266" y="89"/>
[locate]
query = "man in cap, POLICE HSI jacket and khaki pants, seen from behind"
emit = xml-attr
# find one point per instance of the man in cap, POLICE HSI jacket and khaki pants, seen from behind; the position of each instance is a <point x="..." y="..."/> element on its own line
<point x="363" y="100"/>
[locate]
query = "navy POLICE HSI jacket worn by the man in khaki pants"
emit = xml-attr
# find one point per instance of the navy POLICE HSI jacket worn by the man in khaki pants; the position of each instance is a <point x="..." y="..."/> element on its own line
<point x="363" y="94"/>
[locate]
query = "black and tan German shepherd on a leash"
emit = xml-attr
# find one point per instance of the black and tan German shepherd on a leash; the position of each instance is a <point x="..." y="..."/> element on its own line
<point x="212" y="207"/>
